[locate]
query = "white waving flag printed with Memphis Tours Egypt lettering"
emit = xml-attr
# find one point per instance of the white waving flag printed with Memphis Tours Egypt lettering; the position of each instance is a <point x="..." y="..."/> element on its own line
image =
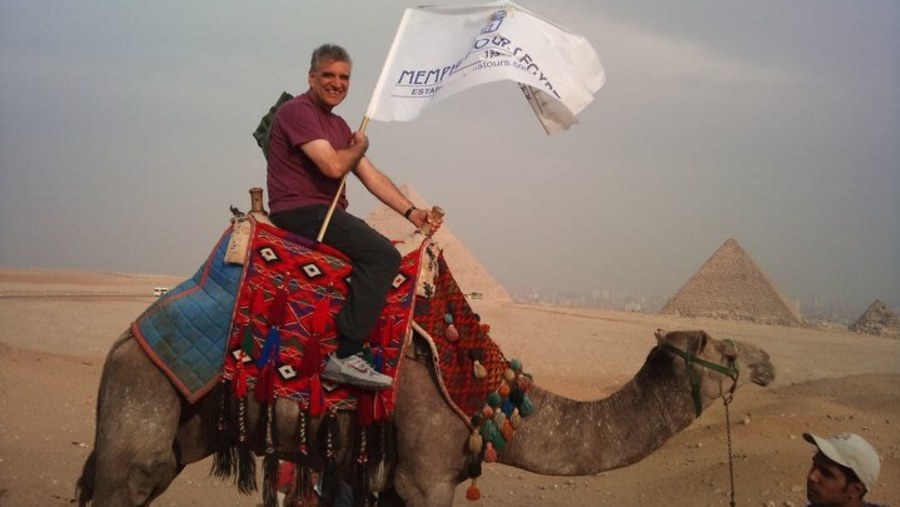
<point x="439" y="51"/>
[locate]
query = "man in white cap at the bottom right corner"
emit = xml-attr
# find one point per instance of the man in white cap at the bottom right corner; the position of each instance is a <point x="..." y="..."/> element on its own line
<point x="843" y="470"/>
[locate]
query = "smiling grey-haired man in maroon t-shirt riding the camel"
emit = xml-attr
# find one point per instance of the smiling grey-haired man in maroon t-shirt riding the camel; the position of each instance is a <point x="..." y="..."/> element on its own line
<point x="310" y="151"/>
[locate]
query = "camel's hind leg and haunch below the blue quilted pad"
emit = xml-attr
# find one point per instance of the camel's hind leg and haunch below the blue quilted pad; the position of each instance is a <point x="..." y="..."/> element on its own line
<point x="137" y="417"/>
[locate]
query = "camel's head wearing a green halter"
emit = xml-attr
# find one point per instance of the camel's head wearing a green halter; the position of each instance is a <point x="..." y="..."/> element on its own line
<point x="719" y="361"/>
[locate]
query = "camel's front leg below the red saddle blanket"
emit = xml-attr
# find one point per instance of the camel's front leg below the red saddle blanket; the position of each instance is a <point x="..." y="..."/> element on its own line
<point x="431" y="440"/>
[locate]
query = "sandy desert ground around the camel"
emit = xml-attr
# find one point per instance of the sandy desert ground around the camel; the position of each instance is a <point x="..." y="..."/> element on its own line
<point x="55" y="328"/>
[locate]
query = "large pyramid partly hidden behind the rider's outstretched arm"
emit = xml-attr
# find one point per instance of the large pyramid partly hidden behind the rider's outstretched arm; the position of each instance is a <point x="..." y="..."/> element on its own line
<point x="472" y="276"/>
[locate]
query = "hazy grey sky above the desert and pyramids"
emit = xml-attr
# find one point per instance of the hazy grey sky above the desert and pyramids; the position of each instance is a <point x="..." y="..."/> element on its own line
<point x="125" y="134"/>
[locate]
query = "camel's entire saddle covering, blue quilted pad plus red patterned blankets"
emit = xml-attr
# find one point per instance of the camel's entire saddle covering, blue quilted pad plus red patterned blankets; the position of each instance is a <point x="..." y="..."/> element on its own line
<point x="267" y="326"/>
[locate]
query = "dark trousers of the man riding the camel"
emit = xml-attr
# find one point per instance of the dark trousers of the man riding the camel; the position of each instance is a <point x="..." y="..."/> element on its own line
<point x="375" y="265"/>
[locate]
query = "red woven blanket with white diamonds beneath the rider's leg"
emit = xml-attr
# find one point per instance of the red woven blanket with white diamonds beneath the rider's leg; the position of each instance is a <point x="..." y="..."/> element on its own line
<point x="283" y="326"/>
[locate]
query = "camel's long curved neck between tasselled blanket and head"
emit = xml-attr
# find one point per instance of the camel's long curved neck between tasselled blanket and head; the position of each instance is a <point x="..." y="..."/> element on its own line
<point x="568" y="437"/>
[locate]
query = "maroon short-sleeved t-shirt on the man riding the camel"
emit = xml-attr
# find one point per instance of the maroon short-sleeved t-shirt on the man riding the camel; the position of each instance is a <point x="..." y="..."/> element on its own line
<point x="293" y="179"/>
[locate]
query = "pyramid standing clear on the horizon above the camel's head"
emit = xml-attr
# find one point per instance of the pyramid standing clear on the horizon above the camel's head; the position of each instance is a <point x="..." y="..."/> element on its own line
<point x="729" y="285"/>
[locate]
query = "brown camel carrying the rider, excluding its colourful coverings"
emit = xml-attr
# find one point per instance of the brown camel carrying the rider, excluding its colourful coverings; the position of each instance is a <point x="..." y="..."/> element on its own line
<point x="146" y="432"/>
